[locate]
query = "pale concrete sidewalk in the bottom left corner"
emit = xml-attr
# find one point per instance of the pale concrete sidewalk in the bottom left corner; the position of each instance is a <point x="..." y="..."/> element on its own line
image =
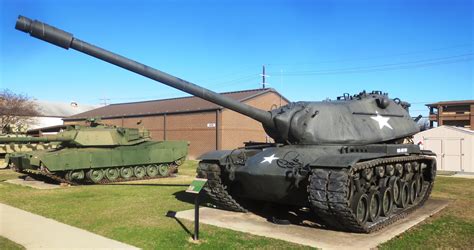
<point x="34" y="232"/>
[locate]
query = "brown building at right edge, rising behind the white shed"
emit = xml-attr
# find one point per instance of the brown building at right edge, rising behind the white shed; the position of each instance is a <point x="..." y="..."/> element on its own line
<point x="452" y="113"/>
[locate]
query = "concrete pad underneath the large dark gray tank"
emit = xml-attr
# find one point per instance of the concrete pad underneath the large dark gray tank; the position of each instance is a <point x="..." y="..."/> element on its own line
<point x="312" y="236"/>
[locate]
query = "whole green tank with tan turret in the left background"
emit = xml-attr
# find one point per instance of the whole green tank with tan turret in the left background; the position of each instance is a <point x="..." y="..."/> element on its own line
<point x="99" y="154"/>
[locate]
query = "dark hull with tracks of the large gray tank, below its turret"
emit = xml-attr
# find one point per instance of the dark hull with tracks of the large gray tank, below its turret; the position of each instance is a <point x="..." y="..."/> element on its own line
<point x="327" y="179"/>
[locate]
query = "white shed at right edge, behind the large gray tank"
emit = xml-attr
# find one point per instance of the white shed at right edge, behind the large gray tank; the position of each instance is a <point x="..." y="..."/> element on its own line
<point x="454" y="147"/>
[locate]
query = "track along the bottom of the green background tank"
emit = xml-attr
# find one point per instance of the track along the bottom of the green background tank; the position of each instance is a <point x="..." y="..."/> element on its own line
<point x="44" y="173"/>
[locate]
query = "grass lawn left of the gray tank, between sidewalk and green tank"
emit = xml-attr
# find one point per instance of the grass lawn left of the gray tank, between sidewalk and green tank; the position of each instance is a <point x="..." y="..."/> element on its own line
<point x="133" y="212"/>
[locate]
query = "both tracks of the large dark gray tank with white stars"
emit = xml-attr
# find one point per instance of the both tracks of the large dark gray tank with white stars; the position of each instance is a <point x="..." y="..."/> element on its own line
<point x="328" y="193"/>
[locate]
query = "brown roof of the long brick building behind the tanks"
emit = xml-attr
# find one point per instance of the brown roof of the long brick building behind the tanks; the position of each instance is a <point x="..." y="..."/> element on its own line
<point x="166" y="106"/>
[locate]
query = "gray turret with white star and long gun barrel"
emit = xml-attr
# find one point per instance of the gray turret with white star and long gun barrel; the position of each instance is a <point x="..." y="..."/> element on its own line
<point x="359" y="119"/>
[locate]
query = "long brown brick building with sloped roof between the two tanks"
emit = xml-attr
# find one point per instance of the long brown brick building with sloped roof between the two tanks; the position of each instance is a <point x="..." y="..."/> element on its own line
<point x="205" y="125"/>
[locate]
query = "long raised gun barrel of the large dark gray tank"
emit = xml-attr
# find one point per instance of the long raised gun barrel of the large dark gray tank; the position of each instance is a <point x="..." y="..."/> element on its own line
<point x="66" y="40"/>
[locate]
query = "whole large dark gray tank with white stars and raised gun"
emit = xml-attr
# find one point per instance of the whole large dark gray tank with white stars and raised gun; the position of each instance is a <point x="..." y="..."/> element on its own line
<point x="351" y="160"/>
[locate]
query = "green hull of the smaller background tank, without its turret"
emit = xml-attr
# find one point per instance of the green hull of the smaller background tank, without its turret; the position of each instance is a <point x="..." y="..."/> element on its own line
<point x="62" y="161"/>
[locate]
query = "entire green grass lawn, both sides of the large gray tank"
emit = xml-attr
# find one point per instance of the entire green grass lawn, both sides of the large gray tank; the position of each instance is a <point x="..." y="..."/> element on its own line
<point x="134" y="213"/>
